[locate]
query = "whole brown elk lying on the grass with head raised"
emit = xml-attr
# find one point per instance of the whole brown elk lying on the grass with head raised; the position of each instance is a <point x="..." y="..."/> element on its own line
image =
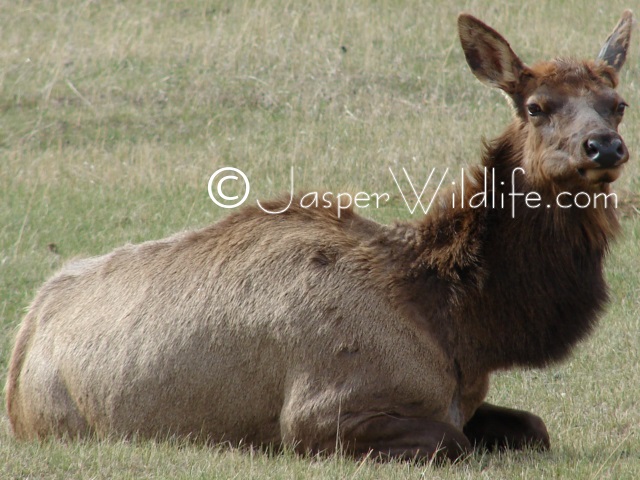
<point x="319" y="330"/>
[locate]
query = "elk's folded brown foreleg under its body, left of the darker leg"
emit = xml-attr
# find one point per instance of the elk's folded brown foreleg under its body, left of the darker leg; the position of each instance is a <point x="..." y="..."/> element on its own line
<point x="387" y="436"/>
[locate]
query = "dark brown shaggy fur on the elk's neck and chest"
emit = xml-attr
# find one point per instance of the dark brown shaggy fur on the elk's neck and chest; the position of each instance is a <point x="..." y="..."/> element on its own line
<point x="521" y="289"/>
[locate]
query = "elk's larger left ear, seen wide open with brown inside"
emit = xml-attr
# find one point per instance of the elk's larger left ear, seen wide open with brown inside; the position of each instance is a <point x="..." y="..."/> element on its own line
<point x="489" y="55"/>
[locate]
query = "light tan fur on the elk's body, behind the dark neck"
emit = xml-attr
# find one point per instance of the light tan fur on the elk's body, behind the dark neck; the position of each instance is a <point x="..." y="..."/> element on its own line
<point x="222" y="332"/>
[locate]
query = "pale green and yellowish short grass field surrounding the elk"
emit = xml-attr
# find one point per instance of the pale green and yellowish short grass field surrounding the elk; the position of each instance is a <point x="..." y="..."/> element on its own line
<point x="113" y="116"/>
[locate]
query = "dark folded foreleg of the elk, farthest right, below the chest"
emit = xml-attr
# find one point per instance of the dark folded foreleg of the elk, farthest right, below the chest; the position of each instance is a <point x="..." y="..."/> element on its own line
<point x="505" y="428"/>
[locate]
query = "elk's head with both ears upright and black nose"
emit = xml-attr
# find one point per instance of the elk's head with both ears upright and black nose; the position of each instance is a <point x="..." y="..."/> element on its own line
<point x="568" y="111"/>
